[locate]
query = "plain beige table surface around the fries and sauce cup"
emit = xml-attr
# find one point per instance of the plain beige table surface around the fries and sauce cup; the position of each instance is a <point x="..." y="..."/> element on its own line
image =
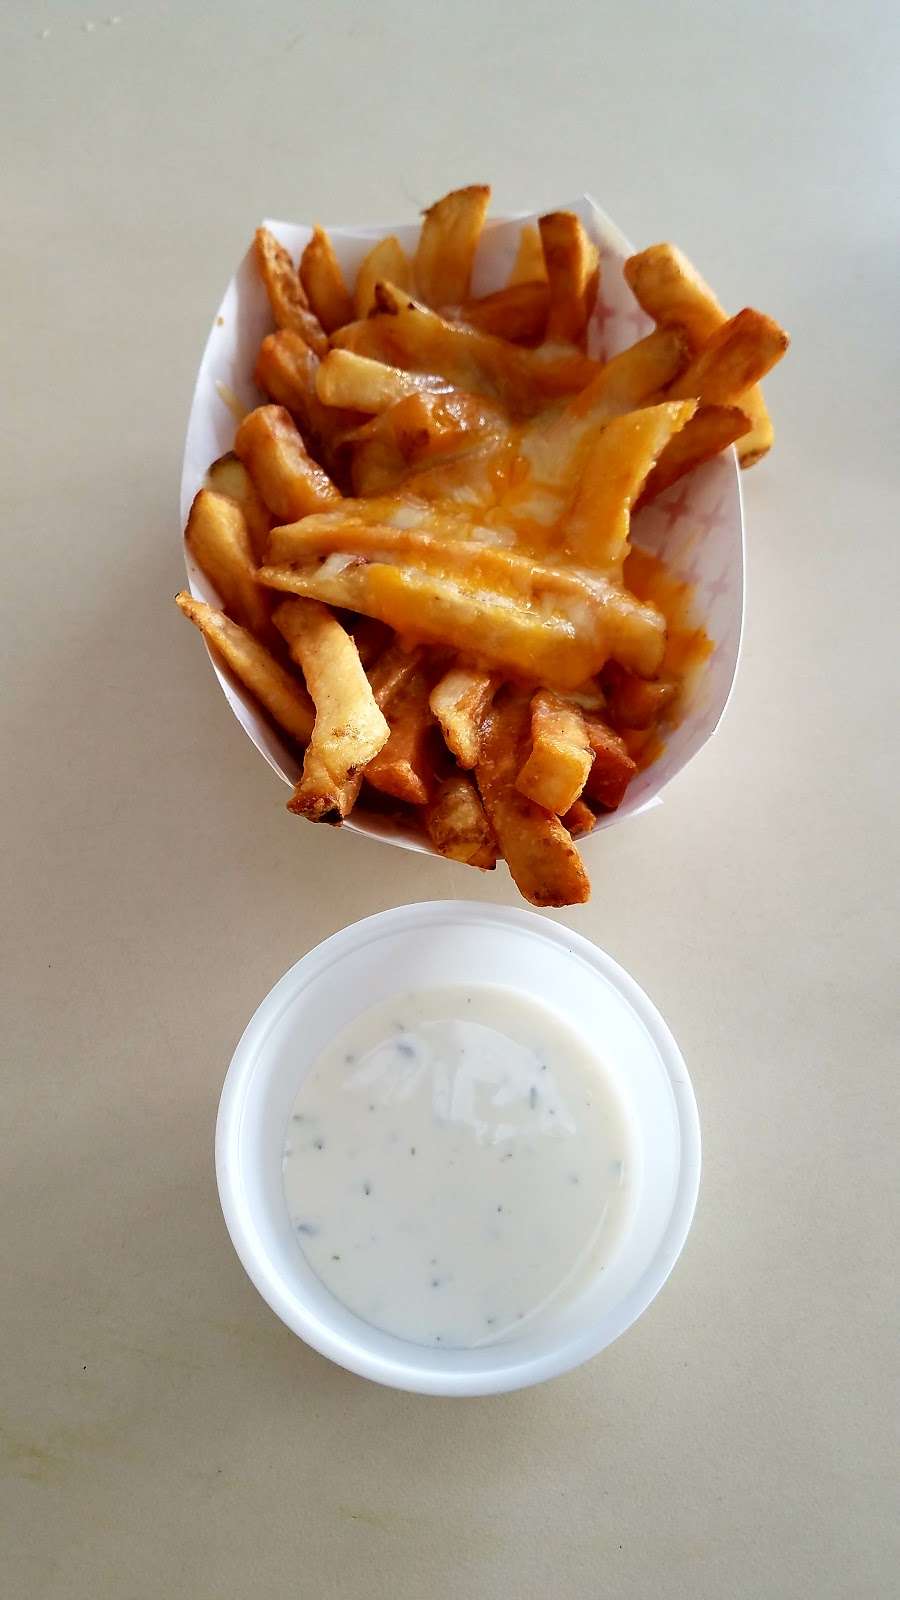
<point x="164" y="1434"/>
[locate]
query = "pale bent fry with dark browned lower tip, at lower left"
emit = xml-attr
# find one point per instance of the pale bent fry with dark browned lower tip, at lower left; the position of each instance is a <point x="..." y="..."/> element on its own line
<point x="350" y="727"/>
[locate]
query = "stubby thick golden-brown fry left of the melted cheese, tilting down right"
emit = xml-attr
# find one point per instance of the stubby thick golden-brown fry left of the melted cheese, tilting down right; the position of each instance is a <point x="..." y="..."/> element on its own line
<point x="273" y="452"/>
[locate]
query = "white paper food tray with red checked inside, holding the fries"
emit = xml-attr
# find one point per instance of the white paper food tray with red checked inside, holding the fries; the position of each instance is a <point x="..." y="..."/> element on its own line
<point x="696" y="527"/>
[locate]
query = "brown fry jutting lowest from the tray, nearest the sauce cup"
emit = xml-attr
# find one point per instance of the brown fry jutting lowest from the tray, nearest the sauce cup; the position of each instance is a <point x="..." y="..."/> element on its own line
<point x="539" y="852"/>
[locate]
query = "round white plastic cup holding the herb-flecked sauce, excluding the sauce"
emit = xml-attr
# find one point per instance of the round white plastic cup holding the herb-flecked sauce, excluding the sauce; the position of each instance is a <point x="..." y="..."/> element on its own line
<point x="441" y="943"/>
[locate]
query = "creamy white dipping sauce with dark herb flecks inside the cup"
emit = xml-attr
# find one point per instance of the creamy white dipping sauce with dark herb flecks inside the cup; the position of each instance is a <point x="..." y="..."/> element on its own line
<point x="457" y="1164"/>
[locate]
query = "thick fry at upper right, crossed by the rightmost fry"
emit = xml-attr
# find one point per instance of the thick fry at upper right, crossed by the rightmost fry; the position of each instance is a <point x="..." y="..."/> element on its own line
<point x="673" y="294"/>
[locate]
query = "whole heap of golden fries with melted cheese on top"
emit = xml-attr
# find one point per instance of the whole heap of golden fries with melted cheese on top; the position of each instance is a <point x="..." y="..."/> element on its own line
<point x="443" y="487"/>
